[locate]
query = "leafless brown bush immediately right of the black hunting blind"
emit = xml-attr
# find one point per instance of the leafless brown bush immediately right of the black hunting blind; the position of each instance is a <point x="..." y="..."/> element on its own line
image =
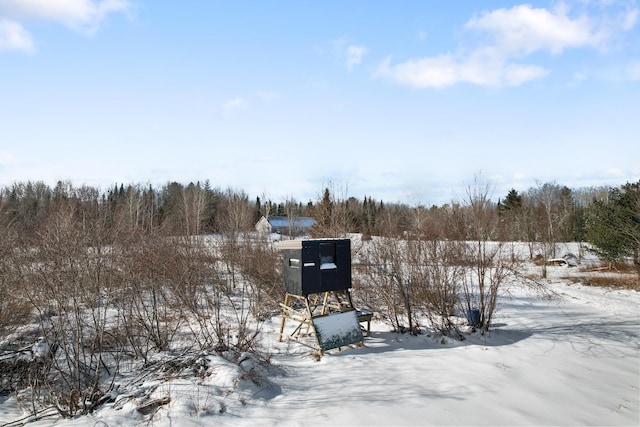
<point x="405" y="278"/>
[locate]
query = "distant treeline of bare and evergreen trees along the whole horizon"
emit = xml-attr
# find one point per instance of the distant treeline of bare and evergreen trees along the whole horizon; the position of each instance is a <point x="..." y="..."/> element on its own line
<point x="548" y="212"/>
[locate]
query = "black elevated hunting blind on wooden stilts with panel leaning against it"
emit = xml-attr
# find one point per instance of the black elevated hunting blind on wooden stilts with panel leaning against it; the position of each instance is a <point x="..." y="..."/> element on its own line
<point x="317" y="283"/>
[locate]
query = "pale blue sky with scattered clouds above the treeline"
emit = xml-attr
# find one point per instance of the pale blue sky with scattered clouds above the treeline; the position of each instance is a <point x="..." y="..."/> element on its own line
<point x="401" y="101"/>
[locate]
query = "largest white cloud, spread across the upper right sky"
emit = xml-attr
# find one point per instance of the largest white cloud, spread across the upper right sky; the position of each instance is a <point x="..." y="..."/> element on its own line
<point x="504" y="38"/>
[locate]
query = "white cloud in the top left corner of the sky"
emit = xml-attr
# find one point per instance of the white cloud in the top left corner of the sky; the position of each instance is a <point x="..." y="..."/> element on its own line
<point x="84" y="16"/>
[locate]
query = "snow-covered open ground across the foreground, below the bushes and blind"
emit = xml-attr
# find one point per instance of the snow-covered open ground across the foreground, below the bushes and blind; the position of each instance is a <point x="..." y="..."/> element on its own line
<point x="569" y="359"/>
